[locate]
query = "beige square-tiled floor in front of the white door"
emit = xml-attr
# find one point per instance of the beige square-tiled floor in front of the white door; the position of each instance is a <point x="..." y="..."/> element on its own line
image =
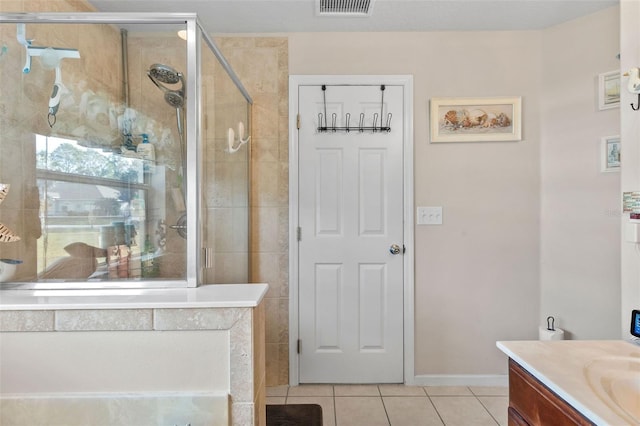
<point x="399" y="405"/>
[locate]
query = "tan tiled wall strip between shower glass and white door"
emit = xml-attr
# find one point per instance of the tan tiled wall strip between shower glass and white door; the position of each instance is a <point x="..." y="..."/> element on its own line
<point x="262" y="65"/>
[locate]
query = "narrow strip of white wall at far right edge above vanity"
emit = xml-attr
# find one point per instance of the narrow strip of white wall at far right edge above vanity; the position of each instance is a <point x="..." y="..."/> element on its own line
<point x="630" y="57"/>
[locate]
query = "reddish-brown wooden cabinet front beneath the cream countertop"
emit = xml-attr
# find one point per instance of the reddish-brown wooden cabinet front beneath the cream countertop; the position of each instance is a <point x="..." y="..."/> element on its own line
<point x="531" y="403"/>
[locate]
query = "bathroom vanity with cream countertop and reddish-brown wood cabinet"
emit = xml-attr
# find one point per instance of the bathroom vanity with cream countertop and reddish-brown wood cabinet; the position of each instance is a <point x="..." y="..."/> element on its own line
<point x="573" y="382"/>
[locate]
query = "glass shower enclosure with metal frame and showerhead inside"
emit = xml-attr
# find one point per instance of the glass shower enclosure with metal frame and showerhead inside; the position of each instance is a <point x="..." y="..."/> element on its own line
<point x="124" y="159"/>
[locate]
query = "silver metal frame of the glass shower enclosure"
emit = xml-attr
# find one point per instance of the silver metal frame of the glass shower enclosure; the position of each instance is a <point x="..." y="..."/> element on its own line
<point x="193" y="106"/>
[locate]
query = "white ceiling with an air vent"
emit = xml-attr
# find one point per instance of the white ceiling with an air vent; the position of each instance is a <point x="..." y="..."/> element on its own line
<point x="280" y="16"/>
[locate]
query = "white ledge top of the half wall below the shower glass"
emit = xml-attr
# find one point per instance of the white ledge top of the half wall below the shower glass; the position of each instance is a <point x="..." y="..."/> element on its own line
<point x="206" y="296"/>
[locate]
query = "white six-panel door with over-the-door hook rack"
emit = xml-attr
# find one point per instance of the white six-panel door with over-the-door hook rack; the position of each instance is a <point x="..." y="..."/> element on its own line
<point x="350" y="214"/>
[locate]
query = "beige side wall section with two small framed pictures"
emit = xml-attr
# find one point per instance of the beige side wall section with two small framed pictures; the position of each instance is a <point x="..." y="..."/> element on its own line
<point x="580" y="242"/>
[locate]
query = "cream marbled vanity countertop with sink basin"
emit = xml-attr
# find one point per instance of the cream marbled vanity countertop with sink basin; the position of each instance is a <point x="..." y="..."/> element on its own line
<point x="567" y="368"/>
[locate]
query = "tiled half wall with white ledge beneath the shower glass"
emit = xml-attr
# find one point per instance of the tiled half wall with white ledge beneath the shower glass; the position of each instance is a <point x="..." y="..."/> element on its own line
<point x="133" y="356"/>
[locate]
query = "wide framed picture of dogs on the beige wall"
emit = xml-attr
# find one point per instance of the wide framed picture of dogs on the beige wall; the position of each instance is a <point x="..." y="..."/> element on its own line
<point x="476" y="119"/>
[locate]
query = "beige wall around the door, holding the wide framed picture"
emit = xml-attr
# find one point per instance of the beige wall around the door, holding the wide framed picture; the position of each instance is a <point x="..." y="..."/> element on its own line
<point x="476" y="276"/>
